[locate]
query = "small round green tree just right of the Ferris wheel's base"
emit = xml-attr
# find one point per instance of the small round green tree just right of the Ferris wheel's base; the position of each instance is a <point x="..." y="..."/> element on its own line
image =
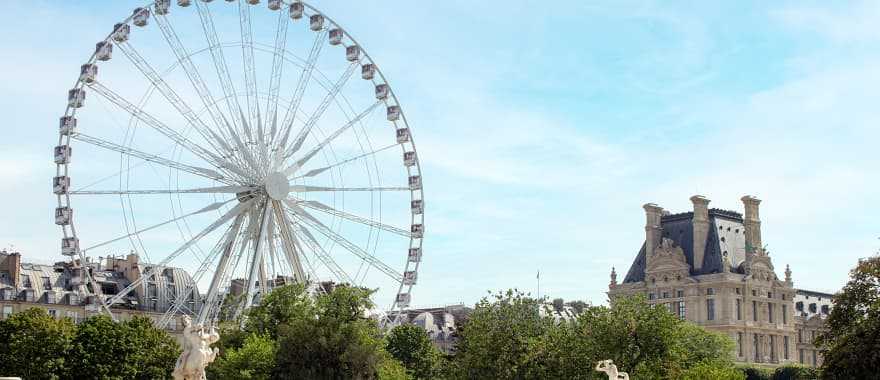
<point x="411" y="345"/>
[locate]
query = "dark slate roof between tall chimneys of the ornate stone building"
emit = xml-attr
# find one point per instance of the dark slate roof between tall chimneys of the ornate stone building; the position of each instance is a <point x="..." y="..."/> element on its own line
<point x="679" y="228"/>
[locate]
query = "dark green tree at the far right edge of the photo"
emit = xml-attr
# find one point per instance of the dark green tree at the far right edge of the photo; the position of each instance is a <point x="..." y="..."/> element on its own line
<point x="850" y="343"/>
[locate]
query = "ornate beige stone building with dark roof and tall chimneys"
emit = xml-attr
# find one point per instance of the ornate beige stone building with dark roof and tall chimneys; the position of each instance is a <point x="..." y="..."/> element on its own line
<point x="709" y="266"/>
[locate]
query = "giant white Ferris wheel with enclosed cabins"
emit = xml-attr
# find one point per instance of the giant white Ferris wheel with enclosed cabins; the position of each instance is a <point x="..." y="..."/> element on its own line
<point x="248" y="144"/>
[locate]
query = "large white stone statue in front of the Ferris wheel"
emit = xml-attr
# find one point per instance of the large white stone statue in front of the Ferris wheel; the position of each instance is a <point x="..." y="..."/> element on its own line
<point x="197" y="352"/>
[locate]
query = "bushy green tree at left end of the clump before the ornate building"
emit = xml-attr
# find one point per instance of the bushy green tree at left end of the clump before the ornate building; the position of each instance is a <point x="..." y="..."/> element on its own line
<point x="495" y="341"/>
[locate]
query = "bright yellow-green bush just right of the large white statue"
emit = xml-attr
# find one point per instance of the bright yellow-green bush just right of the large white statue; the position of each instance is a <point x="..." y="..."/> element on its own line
<point x="254" y="360"/>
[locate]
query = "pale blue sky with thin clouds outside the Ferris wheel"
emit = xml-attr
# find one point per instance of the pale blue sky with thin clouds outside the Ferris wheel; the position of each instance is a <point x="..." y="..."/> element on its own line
<point x="542" y="130"/>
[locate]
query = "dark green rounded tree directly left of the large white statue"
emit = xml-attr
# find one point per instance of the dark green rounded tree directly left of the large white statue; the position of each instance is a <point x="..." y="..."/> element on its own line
<point x="134" y="349"/>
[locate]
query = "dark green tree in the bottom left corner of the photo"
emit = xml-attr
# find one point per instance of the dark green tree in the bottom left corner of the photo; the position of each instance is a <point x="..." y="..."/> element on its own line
<point x="33" y="345"/>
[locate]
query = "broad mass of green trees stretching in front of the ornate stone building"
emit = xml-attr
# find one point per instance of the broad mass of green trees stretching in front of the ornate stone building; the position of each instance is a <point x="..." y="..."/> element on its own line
<point x="505" y="338"/>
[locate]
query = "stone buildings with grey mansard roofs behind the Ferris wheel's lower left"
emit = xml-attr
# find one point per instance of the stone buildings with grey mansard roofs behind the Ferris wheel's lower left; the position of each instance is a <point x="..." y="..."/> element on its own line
<point x="58" y="288"/>
